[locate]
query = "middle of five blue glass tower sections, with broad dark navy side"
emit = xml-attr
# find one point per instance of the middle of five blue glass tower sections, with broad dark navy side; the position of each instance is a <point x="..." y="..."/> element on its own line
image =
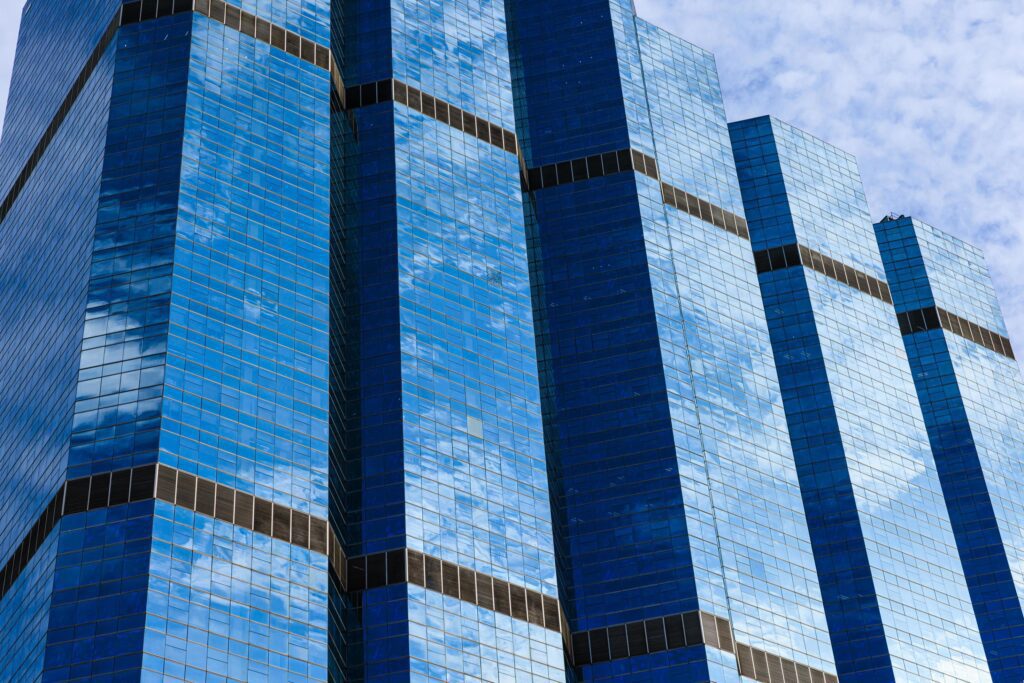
<point x="674" y="482"/>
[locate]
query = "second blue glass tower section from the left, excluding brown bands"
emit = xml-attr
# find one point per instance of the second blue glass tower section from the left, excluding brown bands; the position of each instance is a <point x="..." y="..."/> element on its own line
<point x="443" y="437"/>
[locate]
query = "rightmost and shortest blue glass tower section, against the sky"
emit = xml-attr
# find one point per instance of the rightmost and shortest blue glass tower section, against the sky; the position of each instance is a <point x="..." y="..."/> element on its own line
<point x="973" y="400"/>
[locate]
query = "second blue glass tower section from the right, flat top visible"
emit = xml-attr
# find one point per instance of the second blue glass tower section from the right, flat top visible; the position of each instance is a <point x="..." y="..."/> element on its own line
<point x="894" y="591"/>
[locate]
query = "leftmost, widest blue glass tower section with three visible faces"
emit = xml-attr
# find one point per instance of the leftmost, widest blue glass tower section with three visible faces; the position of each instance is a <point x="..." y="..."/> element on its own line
<point x="196" y="320"/>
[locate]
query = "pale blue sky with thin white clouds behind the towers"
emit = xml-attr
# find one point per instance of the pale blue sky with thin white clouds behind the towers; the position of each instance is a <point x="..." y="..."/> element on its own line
<point x="928" y="95"/>
